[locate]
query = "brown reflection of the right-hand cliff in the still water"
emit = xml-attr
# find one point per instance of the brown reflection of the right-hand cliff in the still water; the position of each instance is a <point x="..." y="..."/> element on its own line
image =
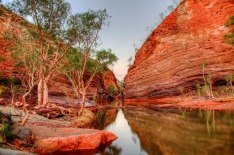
<point x="204" y="132"/>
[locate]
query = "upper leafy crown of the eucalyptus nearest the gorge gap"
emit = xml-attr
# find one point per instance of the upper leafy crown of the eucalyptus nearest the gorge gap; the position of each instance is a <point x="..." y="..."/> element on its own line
<point x="83" y="28"/>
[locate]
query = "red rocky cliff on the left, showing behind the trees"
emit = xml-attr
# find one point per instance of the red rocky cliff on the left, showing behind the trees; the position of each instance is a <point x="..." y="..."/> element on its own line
<point x="14" y="24"/>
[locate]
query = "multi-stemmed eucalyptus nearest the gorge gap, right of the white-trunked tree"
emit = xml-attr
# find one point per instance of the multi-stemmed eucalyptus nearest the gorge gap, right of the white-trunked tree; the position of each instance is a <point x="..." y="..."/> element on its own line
<point x="84" y="28"/>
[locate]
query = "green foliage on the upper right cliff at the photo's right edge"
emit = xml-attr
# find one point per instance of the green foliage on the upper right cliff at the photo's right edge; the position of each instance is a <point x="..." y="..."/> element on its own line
<point x="229" y="38"/>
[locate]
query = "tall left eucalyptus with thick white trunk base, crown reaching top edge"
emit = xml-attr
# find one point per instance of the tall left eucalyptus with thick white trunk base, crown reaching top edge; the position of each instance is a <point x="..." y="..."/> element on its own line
<point x="49" y="16"/>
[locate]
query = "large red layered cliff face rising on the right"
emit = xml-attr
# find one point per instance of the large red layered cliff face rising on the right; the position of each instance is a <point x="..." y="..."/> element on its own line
<point x="173" y="54"/>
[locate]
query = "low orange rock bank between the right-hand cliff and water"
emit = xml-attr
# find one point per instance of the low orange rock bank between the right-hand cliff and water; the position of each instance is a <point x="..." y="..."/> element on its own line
<point x="202" y="103"/>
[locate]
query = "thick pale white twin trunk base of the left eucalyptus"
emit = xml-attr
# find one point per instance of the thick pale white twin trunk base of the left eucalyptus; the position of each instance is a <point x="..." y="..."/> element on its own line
<point x="43" y="97"/>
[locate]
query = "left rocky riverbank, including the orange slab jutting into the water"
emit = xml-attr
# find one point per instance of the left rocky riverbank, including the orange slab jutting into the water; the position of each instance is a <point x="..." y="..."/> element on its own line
<point x="41" y="135"/>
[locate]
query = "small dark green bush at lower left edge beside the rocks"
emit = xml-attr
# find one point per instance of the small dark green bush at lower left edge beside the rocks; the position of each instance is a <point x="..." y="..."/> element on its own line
<point x="5" y="131"/>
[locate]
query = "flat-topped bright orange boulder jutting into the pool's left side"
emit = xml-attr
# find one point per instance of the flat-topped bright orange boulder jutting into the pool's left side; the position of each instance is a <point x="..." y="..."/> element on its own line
<point x="83" y="142"/>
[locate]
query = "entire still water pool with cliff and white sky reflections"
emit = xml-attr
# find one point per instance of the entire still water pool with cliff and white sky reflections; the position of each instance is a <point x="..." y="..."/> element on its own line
<point x="142" y="132"/>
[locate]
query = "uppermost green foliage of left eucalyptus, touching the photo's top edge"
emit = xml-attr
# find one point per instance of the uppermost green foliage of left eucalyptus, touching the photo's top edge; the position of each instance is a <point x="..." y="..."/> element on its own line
<point x="48" y="15"/>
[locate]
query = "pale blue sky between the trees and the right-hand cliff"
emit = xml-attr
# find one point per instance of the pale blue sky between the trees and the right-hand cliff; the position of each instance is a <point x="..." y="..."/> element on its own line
<point x="130" y="19"/>
